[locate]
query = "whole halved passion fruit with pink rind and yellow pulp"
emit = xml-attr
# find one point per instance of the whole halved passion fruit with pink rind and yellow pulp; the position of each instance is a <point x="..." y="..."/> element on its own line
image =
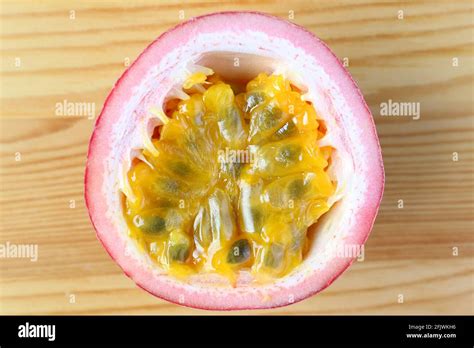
<point x="235" y="165"/>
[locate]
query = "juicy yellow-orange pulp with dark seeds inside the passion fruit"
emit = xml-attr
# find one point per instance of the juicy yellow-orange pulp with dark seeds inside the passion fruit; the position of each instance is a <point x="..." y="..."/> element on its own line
<point x="232" y="182"/>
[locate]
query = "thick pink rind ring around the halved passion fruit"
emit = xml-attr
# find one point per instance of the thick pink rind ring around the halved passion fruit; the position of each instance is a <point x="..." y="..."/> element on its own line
<point x="100" y="184"/>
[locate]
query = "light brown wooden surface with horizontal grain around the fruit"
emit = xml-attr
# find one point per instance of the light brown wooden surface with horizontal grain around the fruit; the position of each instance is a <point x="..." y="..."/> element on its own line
<point x="410" y="251"/>
